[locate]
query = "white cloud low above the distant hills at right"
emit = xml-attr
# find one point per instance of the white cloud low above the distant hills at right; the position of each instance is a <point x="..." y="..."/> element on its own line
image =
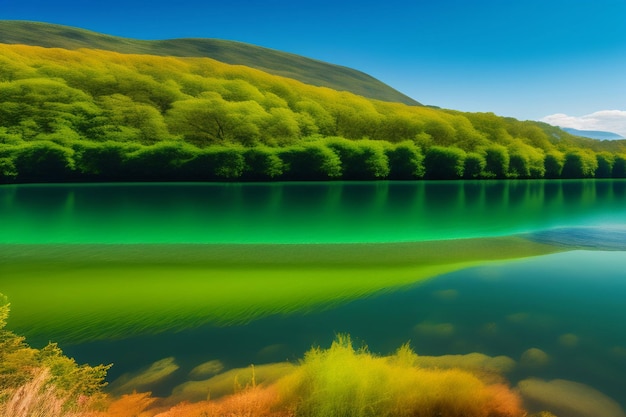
<point x="605" y="120"/>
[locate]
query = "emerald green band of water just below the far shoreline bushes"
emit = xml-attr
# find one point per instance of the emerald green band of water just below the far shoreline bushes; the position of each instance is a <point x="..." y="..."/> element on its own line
<point x="302" y="212"/>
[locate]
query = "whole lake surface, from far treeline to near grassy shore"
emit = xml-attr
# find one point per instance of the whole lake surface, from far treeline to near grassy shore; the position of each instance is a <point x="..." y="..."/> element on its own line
<point x="133" y="268"/>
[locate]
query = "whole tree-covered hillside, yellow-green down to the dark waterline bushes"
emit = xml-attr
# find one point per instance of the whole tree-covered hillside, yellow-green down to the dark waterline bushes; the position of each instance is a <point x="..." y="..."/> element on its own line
<point x="93" y="115"/>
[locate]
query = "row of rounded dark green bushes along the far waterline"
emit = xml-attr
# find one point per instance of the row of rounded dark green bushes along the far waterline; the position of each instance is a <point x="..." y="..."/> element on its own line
<point x="319" y="158"/>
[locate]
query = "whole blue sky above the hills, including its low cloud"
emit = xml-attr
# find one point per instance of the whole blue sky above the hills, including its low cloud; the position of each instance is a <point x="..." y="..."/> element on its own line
<point x="562" y="61"/>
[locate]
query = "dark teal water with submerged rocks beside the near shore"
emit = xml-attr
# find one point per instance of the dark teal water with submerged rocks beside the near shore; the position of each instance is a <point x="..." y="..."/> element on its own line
<point x="556" y="317"/>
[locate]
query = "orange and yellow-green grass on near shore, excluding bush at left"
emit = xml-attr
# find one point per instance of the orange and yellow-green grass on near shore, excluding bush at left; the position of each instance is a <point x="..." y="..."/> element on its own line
<point x="344" y="382"/>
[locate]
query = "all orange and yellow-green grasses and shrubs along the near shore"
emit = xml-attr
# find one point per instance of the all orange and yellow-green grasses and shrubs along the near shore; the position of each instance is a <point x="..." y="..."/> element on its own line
<point x="339" y="381"/>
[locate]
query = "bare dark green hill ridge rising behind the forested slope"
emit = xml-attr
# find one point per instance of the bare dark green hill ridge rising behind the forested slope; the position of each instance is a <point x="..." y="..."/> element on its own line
<point x="303" y="69"/>
